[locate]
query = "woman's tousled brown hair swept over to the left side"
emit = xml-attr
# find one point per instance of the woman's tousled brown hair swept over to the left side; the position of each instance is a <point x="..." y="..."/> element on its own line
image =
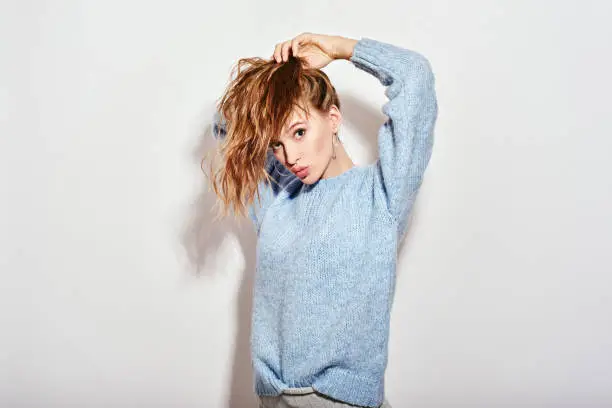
<point x="255" y="106"/>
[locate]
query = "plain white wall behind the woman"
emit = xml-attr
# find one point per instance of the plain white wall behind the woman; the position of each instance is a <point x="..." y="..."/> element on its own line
<point x="117" y="290"/>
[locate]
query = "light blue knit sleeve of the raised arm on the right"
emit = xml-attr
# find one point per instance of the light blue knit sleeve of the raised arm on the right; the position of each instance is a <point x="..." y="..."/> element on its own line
<point x="405" y="140"/>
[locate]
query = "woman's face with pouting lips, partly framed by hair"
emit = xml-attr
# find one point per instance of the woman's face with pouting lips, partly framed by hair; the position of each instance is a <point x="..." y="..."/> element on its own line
<point x="305" y="145"/>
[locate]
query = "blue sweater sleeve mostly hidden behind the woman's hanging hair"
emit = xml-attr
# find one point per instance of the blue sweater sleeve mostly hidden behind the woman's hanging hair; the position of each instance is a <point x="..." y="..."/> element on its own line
<point x="285" y="180"/>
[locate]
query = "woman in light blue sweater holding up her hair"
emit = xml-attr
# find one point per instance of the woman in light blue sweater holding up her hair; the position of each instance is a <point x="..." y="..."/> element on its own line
<point x="328" y="231"/>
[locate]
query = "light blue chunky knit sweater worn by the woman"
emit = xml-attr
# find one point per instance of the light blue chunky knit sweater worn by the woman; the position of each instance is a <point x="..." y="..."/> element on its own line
<point x="327" y="252"/>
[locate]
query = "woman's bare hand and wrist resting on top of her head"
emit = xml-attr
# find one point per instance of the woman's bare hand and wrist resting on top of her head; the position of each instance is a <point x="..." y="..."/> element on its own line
<point x="317" y="50"/>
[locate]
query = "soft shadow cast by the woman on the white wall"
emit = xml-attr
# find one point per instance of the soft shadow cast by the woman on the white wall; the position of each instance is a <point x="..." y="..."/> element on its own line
<point x="202" y="238"/>
